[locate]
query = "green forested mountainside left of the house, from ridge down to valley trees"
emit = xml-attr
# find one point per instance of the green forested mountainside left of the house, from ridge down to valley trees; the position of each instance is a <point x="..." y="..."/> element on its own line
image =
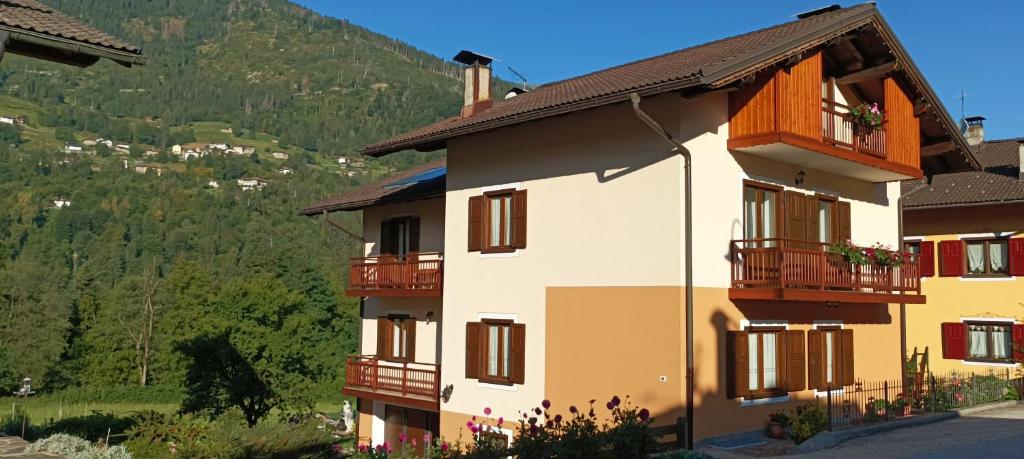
<point x="141" y="274"/>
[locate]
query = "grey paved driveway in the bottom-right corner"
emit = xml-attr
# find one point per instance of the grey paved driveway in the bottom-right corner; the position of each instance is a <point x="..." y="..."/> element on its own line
<point x="990" y="435"/>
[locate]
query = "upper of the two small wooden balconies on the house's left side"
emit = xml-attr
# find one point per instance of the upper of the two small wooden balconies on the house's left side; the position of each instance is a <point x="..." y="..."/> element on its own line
<point x="419" y="274"/>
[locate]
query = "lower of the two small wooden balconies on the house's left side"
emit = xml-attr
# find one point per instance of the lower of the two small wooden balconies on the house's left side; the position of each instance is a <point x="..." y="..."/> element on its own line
<point x="406" y="384"/>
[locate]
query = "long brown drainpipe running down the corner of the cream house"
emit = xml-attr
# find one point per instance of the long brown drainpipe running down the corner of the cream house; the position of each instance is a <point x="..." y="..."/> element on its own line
<point x="677" y="147"/>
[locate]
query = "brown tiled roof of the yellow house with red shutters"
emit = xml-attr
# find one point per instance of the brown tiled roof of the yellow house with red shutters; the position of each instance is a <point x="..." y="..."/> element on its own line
<point x="998" y="184"/>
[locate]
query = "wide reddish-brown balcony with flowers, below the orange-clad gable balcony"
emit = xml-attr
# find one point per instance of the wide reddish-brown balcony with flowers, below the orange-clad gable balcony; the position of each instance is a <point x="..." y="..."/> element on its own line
<point x="802" y="271"/>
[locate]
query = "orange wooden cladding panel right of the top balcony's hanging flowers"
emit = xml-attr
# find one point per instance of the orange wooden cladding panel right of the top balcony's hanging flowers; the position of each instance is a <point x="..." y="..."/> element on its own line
<point x="903" y="128"/>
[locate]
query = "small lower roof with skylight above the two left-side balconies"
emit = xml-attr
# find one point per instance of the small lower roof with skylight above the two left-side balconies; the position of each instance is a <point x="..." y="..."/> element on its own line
<point x="383" y="193"/>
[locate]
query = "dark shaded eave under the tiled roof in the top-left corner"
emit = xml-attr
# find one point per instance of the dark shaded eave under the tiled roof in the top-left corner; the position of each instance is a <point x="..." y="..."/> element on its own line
<point x="63" y="51"/>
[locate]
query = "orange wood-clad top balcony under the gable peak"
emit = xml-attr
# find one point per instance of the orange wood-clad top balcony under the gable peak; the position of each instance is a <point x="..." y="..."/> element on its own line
<point x="783" y="116"/>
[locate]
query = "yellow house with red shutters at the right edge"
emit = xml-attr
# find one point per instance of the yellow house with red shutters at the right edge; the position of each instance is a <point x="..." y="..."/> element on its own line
<point x="968" y="229"/>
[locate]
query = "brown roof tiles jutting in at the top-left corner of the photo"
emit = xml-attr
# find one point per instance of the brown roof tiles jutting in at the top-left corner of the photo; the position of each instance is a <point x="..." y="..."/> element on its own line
<point x="38" y="21"/>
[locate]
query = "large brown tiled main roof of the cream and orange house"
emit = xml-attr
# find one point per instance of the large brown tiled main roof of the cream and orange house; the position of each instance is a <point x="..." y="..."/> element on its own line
<point x="707" y="66"/>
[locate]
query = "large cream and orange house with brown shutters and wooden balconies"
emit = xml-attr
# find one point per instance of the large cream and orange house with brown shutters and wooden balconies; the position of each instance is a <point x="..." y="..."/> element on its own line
<point x="546" y="257"/>
